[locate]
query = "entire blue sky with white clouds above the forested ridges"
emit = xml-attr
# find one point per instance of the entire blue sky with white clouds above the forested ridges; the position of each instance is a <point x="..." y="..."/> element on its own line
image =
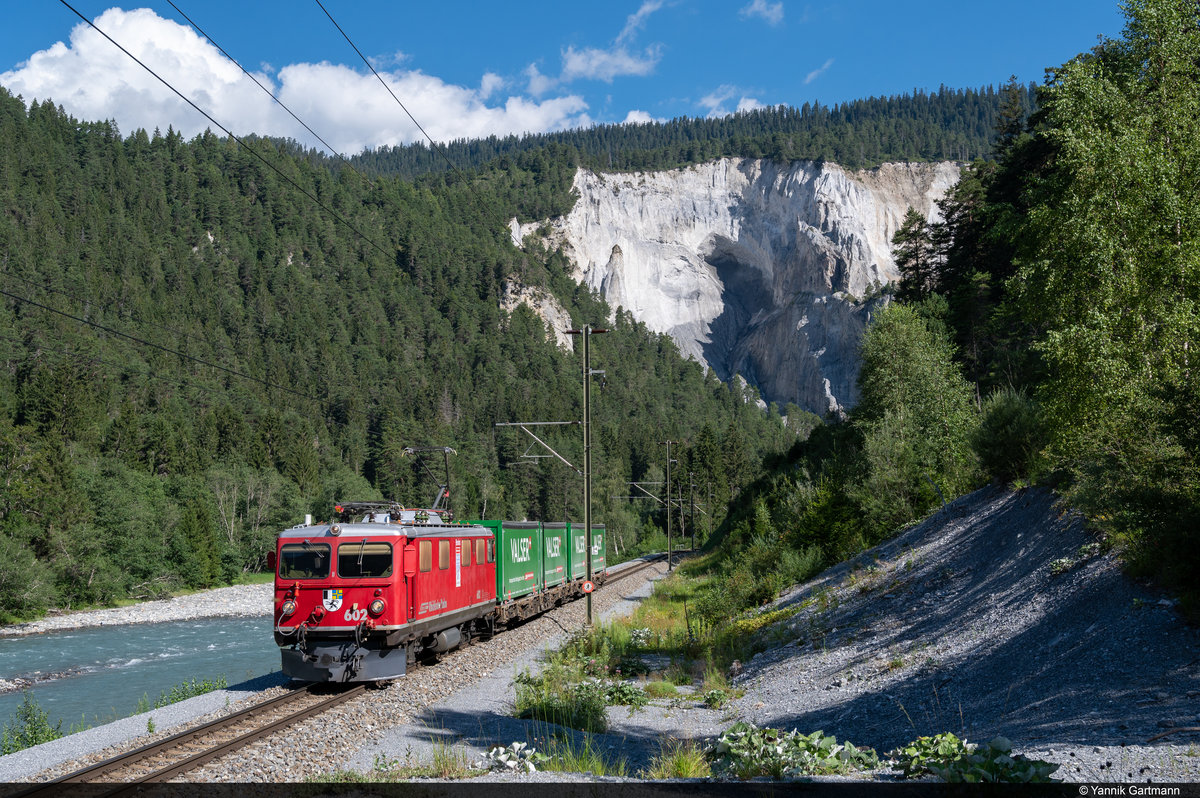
<point x="478" y="69"/>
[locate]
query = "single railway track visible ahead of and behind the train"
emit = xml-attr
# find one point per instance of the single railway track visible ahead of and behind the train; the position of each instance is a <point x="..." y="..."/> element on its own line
<point x="181" y="753"/>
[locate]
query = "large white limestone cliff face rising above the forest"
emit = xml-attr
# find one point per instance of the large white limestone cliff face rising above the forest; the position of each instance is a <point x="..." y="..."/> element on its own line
<point x="753" y="267"/>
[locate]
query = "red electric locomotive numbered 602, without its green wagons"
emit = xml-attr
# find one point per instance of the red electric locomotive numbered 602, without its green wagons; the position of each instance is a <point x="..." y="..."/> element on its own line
<point x="358" y="601"/>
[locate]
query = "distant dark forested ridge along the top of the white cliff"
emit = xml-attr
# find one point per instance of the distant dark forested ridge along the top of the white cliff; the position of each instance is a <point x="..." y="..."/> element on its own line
<point x="947" y="125"/>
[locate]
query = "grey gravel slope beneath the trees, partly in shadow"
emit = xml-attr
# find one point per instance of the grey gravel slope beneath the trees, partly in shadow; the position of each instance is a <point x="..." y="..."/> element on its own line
<point x="958" y="625"/>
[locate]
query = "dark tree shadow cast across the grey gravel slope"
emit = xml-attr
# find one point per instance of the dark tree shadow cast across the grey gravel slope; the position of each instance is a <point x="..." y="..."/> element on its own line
<point x="1083" y="657"/>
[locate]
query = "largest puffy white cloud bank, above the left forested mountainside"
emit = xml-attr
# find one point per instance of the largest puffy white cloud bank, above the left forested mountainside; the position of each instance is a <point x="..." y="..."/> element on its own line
<point x="93" y="80"/>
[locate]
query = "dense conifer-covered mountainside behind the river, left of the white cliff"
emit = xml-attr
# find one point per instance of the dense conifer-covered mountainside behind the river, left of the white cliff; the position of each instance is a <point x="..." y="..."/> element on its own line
<point x="196" y="352"/>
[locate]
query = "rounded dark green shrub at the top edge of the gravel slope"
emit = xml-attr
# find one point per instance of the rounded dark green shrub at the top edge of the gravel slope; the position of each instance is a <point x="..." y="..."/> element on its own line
<point x="1011" y="436"/>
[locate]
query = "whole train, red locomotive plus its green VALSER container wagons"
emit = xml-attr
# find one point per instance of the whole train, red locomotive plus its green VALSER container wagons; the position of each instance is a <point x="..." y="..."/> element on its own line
<point x="364" y="597"/>
